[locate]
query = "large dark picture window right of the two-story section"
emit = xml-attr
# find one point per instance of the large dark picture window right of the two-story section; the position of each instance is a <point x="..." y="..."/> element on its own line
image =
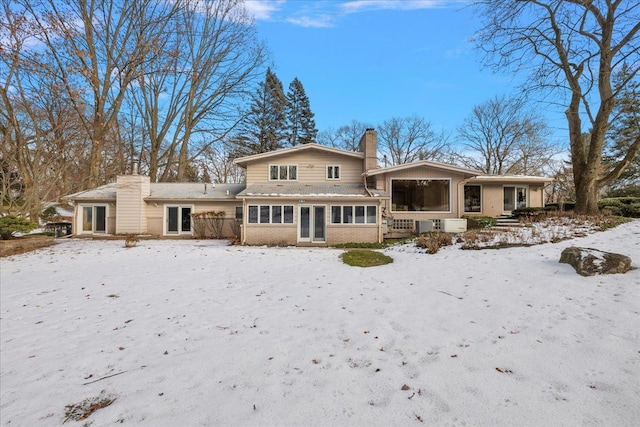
<point x="432" y="195"/>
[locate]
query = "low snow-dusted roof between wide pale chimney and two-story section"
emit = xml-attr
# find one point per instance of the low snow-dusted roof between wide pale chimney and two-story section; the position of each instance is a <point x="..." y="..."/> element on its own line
<point x="193" y="191"/>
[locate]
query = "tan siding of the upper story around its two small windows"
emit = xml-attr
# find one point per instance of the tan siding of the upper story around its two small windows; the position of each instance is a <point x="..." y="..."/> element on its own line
<point x="311" y="167"/>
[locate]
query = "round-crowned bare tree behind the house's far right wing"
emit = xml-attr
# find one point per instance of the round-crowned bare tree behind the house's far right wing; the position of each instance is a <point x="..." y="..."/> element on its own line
<point x="503" y="137"/>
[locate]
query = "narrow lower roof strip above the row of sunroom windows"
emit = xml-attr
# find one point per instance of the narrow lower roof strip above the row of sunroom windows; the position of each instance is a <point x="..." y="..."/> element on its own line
<point x="310" y="190"/>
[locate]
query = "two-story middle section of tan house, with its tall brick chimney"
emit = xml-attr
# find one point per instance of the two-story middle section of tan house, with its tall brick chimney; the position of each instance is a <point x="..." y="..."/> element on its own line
<point x="311" y="194"/>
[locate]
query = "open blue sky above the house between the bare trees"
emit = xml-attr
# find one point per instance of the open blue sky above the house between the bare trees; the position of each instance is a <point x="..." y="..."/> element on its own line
<point x="374" y="60"/>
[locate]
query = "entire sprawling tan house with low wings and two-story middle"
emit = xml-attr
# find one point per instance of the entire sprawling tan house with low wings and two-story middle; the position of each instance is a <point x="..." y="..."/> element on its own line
<point x="306" y="195"/>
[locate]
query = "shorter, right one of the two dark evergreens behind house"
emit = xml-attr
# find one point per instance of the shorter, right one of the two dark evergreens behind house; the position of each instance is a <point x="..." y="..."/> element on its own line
<point x="301" y="128"/>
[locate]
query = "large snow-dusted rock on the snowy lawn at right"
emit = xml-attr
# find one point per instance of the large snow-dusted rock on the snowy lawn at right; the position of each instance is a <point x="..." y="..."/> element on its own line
<point x="589" y="262"/>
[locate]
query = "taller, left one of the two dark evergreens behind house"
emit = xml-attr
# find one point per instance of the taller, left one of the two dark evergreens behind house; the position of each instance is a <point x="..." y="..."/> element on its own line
<point x="265" y="124"/>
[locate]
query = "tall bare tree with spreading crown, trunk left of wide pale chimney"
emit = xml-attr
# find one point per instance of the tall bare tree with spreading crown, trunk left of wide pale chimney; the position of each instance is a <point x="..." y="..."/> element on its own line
<point x="95" y="50"/>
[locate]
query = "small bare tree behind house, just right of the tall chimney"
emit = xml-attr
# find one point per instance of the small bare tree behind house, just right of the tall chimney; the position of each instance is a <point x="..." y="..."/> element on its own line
<point x="407" y="139"/>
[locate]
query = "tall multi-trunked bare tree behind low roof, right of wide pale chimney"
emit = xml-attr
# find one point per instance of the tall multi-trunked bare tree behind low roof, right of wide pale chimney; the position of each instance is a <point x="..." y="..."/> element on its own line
<point x="189" y="98"/>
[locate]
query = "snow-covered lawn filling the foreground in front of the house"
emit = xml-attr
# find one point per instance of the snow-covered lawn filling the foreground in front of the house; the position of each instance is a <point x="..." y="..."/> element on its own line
<point x="187" y="333"/>
